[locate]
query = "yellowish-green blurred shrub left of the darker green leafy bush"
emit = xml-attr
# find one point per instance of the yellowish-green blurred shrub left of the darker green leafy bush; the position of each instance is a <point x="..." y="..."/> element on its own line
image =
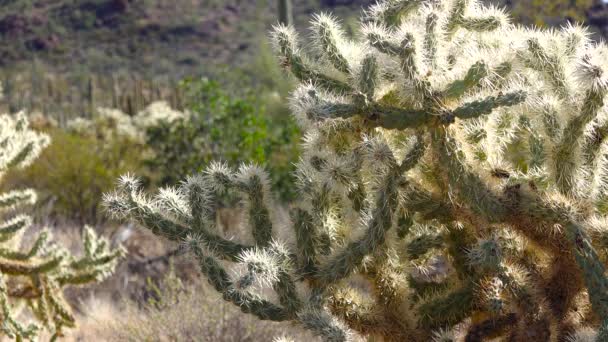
<point x="82" y="164"/>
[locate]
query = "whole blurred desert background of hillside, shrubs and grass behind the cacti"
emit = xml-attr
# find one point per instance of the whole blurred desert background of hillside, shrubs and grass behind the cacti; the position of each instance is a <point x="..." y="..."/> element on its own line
<point x="159" y="88"/>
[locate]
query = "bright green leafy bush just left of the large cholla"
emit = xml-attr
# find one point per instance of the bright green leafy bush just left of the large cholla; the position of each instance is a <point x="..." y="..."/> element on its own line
<point x="221" y="126"/>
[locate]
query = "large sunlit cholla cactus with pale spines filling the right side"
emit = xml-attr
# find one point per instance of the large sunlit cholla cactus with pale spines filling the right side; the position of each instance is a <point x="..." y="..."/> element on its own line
<point x="453" y="162"/>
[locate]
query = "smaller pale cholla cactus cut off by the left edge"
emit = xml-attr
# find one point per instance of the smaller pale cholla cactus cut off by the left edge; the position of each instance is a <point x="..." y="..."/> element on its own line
<point x="32" y="274"/>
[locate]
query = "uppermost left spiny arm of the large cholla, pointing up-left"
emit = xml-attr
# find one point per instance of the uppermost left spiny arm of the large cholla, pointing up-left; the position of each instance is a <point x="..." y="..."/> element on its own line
<point x="285" y="41"/>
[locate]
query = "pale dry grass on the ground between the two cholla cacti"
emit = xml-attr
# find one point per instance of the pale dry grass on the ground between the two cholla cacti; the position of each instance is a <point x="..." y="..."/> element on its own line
<point x="196" y="314"/>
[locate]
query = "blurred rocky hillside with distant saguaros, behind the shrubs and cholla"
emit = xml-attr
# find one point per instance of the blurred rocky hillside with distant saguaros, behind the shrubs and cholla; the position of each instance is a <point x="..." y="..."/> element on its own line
<point x="68" y="56"/>
